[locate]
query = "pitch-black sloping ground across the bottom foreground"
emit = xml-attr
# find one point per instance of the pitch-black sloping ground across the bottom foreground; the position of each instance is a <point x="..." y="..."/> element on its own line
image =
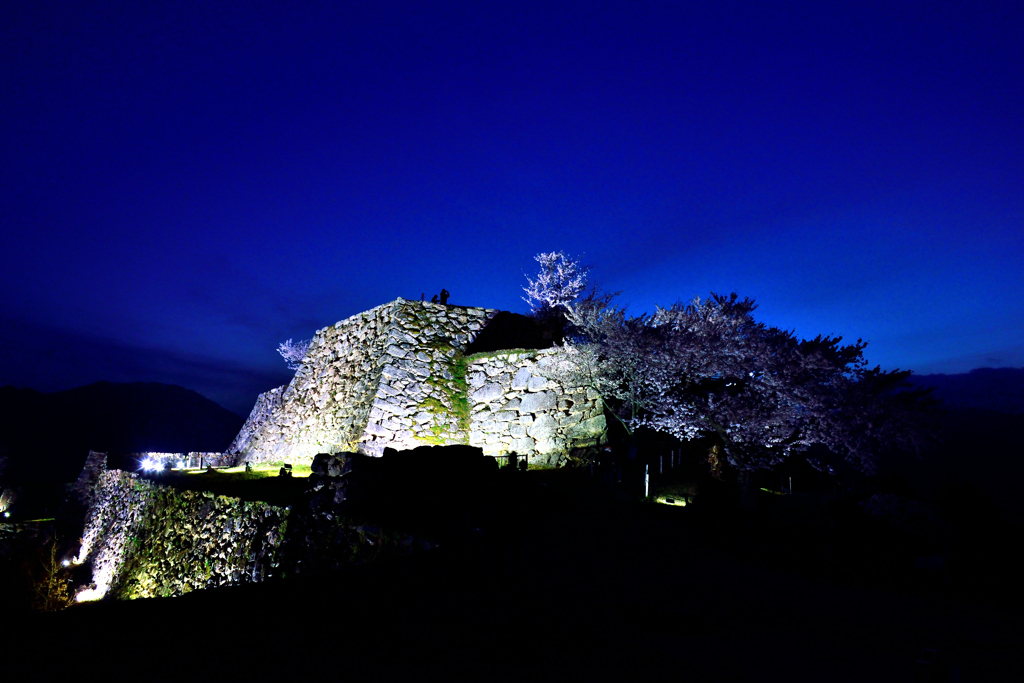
<point x="584" y="588"/>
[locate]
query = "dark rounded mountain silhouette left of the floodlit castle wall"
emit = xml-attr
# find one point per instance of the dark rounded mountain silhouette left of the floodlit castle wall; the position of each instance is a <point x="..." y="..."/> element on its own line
<point x="47" y="437"/>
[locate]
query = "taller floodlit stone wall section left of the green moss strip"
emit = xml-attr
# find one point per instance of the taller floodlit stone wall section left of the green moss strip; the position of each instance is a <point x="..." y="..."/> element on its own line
<point x="343" y="399"/>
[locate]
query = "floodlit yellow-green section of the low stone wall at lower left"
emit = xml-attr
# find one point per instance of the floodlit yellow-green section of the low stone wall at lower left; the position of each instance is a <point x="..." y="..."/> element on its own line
<point x="144" y="540"/>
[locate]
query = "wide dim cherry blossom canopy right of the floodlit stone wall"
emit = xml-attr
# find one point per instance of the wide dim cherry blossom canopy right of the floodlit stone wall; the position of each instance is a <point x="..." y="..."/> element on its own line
<point x="709" y="368"/>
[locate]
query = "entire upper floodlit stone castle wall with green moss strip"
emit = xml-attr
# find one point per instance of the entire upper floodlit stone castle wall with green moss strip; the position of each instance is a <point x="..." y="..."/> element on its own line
<point x="397" y="376"/>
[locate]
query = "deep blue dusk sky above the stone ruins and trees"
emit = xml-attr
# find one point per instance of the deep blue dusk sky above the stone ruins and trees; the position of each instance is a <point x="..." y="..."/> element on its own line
<point x="183" y="187"/>
